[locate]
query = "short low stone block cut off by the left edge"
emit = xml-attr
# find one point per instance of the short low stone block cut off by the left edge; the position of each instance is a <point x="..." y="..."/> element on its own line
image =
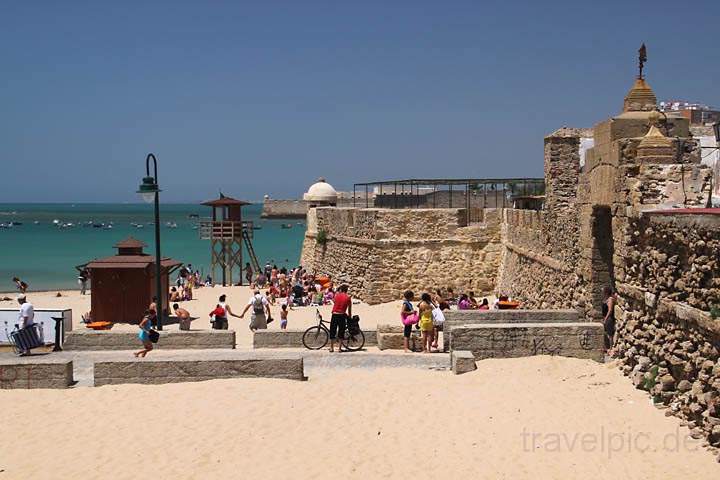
<point x="35" y="371"/>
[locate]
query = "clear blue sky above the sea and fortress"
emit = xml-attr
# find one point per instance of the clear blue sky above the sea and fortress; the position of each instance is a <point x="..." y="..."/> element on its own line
<point x="264" y="97"/>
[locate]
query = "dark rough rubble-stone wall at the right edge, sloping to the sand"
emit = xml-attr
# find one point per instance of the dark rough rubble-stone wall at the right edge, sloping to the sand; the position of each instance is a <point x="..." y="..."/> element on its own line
<point x="668" y="343"/>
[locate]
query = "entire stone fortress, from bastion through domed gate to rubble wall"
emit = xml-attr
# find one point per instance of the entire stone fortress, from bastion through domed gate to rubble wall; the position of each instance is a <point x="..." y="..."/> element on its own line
<point x="617" y="219"/>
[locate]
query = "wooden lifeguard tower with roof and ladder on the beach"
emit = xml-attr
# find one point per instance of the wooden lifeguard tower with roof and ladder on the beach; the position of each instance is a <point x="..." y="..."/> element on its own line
<point x="227" y="233"/>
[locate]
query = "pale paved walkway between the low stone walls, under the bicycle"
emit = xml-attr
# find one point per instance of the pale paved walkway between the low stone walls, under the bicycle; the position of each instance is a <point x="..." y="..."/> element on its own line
<point x="315" y="362"/>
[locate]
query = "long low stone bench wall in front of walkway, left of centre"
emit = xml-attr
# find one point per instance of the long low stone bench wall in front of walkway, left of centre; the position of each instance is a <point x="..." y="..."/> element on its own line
<point x="197" y="366"/>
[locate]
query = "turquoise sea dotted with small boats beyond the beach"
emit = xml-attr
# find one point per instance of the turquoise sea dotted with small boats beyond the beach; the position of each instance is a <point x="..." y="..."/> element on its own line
<point x="44" y="254"/>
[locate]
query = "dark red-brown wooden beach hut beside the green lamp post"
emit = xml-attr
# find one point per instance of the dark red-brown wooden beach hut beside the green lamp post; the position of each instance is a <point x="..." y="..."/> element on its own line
<point x="123" y="285"/>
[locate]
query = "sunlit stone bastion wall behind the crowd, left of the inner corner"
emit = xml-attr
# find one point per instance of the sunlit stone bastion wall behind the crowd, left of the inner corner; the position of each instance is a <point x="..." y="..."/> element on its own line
<point x="381" y="253"/>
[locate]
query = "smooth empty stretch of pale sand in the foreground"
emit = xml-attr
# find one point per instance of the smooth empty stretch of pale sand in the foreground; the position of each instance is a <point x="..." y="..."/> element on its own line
<point x="539" y="417"/>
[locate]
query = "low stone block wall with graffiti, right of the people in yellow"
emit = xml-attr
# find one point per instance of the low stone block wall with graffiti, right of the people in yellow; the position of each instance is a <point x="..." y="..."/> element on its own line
<point x="507" y="340"/>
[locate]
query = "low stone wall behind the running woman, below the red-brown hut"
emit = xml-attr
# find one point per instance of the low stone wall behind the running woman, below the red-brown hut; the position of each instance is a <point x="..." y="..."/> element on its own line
<point x="169" y="340"/>
